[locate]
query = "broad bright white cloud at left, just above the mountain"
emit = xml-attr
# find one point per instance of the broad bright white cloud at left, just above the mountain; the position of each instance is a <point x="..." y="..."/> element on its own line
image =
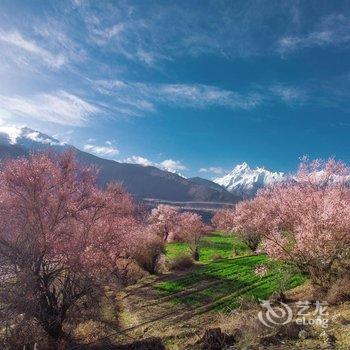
<point x="58" y="107"/>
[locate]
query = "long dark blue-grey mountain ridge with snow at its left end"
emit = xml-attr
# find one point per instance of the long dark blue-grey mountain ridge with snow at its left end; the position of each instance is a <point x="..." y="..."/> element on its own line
<point x="144" y="182"/>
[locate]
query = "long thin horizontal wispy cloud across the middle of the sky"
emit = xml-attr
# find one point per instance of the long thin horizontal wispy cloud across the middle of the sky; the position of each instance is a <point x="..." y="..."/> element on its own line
<point x="139" y="98"/>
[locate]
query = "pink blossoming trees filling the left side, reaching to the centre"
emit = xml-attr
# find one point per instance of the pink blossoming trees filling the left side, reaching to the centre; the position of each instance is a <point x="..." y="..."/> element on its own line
<point x="61" y="236"/>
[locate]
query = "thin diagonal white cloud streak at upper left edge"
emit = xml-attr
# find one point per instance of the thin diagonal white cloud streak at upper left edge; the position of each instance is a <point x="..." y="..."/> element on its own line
<point x="16" y="40"/>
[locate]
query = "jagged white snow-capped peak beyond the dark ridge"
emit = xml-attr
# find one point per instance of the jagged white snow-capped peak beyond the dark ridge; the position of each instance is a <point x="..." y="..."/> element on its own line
<point x="244" y="181"/>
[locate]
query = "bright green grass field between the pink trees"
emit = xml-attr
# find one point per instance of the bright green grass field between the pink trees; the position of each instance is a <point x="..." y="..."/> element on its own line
<point x="226" y="281"/>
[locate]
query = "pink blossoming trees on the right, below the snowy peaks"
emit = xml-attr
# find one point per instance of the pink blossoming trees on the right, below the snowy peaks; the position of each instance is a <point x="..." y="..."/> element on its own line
<point x="304" y="221"/>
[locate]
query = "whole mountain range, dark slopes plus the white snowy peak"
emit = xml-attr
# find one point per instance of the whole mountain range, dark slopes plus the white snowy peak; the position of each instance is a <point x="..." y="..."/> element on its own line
<point x="146" y="182"/>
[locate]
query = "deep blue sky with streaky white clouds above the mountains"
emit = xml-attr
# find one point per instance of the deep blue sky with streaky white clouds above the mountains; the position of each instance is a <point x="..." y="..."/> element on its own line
<point x="192" y="86"/>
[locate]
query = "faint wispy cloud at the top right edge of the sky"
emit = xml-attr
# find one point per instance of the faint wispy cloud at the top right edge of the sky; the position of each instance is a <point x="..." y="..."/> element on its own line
<point x="331" y="30"/>
